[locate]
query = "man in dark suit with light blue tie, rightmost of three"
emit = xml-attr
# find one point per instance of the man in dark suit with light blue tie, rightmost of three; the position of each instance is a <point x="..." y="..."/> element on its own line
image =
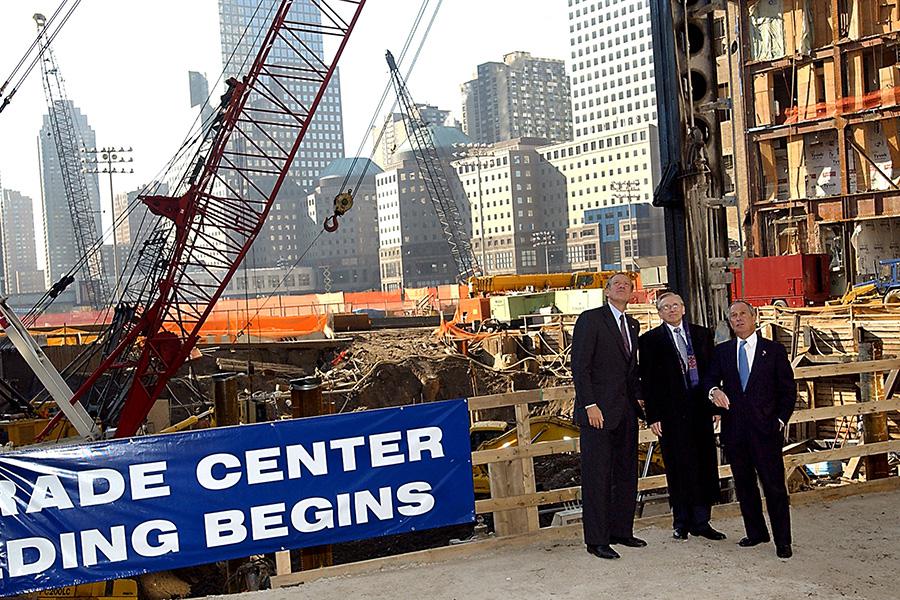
<point x="752" y="384"/>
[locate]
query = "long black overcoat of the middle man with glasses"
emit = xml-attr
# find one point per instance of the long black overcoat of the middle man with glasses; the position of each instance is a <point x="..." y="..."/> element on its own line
<point x="688" y="441"/>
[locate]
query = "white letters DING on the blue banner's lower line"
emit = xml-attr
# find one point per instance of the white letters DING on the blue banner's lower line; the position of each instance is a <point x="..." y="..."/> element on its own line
<point x="32" y="555"/>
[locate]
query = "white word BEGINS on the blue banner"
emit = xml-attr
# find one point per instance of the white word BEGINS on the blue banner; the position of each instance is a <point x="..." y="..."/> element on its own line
<point x="227" y="527"/>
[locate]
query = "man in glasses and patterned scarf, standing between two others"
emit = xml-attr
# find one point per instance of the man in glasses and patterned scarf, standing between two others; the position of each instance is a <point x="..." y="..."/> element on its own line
<point x="674" y="357"/>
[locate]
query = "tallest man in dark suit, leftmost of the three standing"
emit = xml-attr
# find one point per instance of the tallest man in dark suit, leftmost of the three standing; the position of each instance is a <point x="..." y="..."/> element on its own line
<point x="605" y="373"/>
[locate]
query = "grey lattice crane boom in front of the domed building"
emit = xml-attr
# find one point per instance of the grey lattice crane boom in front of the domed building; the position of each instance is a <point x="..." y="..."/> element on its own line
<point x="436" y="184"/>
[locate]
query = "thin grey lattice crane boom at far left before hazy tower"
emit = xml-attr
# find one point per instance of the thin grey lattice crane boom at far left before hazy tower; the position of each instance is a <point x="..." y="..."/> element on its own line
<point x="68" y="150"/>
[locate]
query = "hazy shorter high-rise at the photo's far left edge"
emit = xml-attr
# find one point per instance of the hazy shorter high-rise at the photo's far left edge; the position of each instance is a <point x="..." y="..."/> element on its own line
<point x="19" y="251"/>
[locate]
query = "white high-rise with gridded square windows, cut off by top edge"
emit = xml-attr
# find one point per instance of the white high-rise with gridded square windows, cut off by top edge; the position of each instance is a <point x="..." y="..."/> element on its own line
<point x="613" y="84"/>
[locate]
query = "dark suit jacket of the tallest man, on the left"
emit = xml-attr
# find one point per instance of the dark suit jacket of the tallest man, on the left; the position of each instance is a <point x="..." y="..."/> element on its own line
<point x="604" y="373"/>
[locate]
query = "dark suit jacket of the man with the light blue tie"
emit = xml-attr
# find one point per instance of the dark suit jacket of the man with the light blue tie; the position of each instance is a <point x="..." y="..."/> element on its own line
<point x="770" y="395"/>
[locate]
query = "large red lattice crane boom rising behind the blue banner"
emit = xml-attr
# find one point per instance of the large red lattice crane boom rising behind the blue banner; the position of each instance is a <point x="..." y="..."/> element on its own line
<point x="205" y="227"/>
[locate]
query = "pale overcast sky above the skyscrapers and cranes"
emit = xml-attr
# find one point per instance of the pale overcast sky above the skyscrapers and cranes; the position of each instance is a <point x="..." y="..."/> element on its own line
<point x="125" y="65"/>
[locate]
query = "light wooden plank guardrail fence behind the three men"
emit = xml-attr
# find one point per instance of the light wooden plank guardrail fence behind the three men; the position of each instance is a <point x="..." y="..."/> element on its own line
<point x="514" y="498"/>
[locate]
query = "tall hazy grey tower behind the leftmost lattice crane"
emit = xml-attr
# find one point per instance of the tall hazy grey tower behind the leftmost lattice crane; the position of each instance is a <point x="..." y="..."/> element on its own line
<point x="60" y="248"/>
